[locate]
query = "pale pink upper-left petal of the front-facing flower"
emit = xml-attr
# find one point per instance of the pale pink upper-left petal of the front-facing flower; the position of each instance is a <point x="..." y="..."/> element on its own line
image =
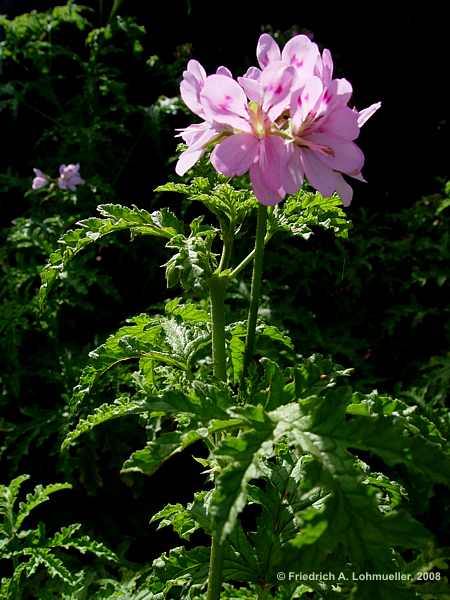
<point x="224" y="102"/>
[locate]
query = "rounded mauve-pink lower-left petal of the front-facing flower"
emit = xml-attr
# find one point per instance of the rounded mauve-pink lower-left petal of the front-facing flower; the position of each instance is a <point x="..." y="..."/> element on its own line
<point x="235" y="154"/>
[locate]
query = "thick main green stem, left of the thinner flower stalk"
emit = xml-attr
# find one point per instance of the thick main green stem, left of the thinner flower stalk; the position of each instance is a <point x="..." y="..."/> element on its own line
<point x="217" y="294"/>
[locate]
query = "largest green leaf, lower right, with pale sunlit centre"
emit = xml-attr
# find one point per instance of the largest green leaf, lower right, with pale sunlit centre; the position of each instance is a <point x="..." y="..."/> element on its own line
<point x="343" y="510"/>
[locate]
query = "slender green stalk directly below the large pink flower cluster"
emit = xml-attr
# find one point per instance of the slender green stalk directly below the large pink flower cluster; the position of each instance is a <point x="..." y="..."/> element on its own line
<point x="256" y="288"/>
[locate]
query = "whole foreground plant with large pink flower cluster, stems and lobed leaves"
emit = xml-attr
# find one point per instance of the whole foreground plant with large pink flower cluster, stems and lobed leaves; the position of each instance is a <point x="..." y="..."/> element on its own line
<point x="284" y="434"/>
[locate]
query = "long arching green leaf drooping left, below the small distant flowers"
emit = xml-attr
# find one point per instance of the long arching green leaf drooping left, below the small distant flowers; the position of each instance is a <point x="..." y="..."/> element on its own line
<point x="115" y="218"/>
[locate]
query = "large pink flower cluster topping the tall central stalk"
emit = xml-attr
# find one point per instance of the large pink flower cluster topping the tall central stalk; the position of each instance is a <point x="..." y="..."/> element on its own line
<point x="282" y="122"/>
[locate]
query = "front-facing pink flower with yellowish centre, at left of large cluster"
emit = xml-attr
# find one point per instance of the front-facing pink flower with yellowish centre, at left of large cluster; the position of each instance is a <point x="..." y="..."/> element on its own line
<point x="257" y="144"/>
